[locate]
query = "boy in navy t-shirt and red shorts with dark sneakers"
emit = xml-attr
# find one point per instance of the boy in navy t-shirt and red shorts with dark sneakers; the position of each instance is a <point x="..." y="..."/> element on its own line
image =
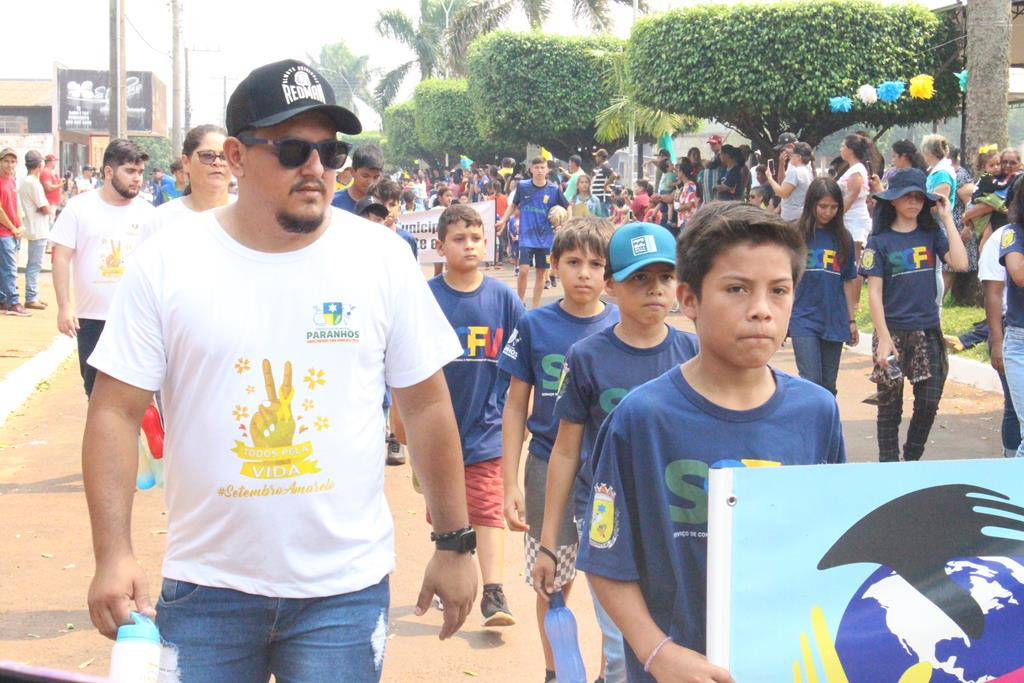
<point x="484" y="312"/>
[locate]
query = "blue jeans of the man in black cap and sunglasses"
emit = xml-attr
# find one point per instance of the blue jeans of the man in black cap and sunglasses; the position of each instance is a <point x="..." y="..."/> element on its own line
<point x="226" y="636"/>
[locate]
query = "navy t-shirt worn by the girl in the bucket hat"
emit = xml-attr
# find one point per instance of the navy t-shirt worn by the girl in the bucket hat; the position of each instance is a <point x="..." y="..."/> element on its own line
<point x="907" y="264"/>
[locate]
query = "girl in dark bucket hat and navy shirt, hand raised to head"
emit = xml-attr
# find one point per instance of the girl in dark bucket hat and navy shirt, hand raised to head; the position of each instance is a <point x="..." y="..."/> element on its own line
<point x="900" y="262"/>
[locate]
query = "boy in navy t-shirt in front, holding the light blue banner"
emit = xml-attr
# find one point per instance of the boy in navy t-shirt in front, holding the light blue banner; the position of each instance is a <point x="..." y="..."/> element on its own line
<point x="646" y="542"/>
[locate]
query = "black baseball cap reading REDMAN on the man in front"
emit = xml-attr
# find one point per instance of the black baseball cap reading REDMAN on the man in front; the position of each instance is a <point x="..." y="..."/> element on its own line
<point x="281" y="91"/>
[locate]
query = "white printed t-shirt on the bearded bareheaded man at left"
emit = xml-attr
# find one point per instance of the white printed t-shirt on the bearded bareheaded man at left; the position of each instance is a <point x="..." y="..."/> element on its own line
<point x="104" y="237"/>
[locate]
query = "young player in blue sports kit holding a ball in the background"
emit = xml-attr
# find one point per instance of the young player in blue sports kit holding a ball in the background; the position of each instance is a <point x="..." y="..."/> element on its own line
<point x="535" y="198"/>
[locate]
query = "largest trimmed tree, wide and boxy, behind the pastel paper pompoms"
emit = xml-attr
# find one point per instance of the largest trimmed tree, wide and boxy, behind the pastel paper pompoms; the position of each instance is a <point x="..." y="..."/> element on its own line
<point x="770" y="69"/>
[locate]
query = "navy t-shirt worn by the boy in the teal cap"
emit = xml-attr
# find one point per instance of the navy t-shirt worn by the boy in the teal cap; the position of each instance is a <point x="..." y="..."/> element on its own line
<point x="600" y="372"/>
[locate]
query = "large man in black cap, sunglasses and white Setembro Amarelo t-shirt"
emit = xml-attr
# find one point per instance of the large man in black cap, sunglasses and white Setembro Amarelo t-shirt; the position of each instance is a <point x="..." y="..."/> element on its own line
<point x="272" y="327"/>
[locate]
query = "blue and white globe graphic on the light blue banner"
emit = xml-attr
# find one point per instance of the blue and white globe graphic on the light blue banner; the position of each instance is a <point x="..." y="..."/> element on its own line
<point x="889" y="627"/>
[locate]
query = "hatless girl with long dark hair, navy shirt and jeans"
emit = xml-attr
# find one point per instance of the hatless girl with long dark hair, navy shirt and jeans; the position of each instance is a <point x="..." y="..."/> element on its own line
<point x="826" y="303"/>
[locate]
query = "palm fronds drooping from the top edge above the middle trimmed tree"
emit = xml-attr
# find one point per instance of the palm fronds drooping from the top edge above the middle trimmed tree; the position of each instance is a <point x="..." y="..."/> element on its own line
<point x="481" y="17"/>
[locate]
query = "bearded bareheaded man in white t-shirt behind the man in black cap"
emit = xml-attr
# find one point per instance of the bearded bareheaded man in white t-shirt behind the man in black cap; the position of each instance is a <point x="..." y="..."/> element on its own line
<point x="96" y="237"/>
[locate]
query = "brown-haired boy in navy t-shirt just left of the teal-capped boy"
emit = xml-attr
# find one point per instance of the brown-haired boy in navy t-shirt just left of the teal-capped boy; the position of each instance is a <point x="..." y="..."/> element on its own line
<point x="534" y="359"/>
